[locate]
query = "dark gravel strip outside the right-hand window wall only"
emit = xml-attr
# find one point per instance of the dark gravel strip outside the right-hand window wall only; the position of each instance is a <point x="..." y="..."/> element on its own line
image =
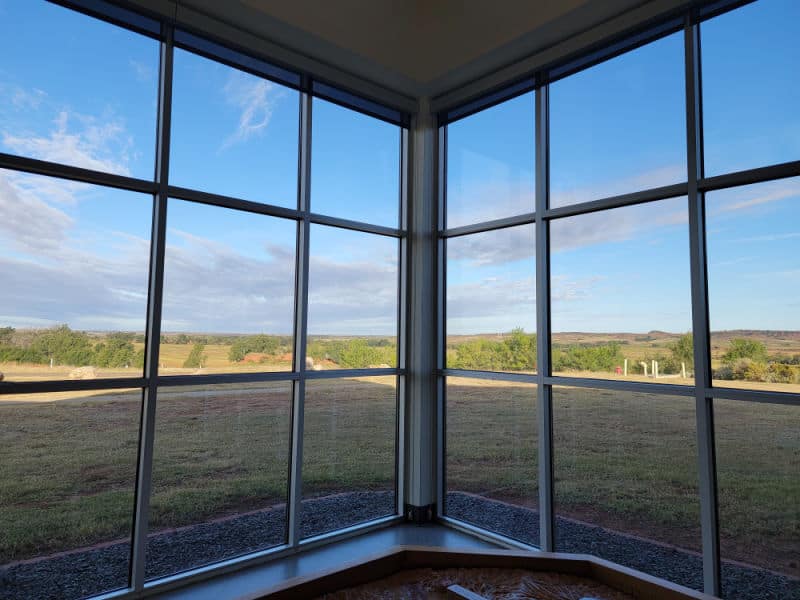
<point x="685" y="568"/>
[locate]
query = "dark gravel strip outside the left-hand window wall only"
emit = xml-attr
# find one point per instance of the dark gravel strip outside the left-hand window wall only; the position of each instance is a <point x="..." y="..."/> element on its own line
<point x="98" y="570"/>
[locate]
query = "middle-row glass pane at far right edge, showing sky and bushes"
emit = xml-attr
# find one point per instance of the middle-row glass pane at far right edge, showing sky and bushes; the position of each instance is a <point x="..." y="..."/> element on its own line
<point x="753" y="242"/>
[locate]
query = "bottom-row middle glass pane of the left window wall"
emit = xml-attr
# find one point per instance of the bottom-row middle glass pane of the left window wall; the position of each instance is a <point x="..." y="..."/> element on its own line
<point x="220" y="471"/>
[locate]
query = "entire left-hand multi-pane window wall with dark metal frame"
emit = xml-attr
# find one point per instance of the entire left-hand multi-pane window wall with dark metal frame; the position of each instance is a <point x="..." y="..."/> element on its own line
<point x="199" y="311"/>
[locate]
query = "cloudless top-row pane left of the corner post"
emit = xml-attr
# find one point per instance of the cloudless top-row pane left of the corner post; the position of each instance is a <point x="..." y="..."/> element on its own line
<point x="355" y="170"/>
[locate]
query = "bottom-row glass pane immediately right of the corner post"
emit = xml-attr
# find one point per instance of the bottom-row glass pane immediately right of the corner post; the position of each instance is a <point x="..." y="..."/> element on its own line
<point x="492" y="456"/>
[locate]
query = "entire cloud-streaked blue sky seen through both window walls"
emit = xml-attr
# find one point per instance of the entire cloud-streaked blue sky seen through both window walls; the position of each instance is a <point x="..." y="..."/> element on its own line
<point x="85" y="94"/>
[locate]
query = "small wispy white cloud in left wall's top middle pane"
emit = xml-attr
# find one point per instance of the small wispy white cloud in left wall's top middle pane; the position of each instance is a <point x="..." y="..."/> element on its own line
<point x="256" y="99"/>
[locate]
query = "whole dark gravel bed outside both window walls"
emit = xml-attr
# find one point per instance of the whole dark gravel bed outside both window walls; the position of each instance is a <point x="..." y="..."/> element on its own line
<point x="93" y="571"/>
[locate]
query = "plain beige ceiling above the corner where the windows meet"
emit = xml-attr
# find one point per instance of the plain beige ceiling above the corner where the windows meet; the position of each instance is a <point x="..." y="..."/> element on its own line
<point x="417" y="47"/>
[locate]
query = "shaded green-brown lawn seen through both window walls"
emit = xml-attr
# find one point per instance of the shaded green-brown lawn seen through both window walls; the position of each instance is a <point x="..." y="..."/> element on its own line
<point x="623" y="460"/>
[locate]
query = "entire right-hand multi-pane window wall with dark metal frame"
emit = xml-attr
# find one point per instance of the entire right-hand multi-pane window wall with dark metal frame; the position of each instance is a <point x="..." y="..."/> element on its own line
<point x="637" y="320"/>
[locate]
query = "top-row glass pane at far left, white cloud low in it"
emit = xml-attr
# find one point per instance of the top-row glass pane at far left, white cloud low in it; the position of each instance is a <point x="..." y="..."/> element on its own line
<point x="76" y="90"/>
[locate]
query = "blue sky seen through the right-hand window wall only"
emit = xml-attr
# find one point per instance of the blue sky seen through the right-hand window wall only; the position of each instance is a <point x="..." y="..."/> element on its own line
<point x="616" y="128"/>
